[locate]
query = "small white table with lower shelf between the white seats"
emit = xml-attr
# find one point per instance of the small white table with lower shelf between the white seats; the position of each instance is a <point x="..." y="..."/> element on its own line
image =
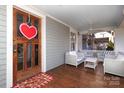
<point x="90" y="62"/>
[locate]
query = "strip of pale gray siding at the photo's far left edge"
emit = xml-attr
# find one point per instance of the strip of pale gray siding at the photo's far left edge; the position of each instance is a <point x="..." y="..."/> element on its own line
<point x="2" y="46"/>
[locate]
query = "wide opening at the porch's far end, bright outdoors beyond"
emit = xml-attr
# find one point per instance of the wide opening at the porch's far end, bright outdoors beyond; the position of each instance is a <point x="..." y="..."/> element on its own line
<point x="98" y="41"/>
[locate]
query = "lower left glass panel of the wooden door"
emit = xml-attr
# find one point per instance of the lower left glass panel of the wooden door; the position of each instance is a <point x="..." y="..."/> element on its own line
<point x="20" y="57"/>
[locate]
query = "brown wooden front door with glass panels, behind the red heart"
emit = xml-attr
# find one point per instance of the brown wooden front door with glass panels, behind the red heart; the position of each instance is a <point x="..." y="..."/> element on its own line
<point x="26" y="53"/>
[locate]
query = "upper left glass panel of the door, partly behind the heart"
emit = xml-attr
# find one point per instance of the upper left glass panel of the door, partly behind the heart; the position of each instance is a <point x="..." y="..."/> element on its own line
<point x="19" y="21"/>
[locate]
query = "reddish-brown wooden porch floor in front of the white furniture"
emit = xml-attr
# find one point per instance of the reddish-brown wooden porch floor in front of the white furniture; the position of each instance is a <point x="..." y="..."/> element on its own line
<point x="67" y="76"/>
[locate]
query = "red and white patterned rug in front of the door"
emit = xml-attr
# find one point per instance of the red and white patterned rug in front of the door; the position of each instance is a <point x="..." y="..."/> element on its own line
<point x="38" y="81"/>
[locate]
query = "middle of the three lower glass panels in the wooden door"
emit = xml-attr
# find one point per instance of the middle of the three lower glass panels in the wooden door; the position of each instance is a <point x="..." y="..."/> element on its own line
<point x="29" y="55"/>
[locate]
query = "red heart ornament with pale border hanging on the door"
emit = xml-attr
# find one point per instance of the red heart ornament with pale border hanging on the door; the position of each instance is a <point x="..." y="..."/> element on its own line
<point x="28" y="31"/>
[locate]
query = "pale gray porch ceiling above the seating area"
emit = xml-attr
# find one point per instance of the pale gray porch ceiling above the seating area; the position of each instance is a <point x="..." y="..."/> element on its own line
<point x="81" y="17"/>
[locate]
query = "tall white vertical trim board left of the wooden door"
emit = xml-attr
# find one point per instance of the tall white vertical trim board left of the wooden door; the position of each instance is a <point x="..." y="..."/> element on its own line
<point x="9" y="46"/>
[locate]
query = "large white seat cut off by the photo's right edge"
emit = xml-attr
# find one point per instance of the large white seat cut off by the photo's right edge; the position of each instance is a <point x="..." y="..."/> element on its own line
<point x="114" y="65"/>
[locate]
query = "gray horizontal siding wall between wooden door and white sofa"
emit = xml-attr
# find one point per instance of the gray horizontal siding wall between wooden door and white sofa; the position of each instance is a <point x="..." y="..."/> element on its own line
<point x="57" y="43"/>
